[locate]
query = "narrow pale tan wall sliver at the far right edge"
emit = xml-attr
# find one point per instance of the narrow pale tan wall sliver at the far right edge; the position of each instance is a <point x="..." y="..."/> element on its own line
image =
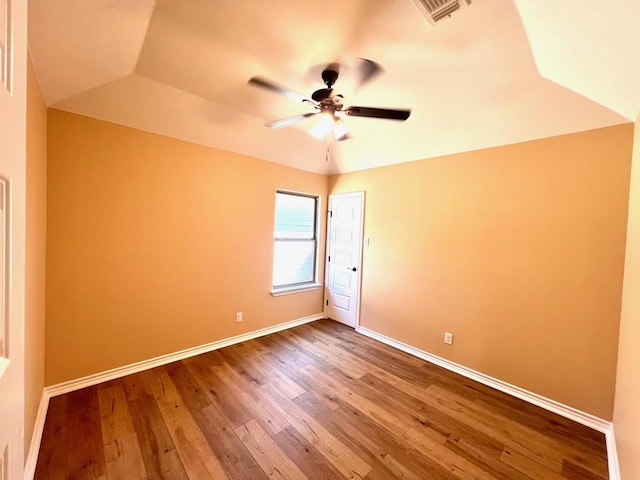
<point x="626" y="416"/>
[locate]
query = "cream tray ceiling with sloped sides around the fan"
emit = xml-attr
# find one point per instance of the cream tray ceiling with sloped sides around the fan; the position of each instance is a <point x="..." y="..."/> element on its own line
<point x="497" y="72"/>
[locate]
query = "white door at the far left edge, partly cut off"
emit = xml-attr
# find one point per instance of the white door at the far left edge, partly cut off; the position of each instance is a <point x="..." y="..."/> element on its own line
<point x="13" y="82"/>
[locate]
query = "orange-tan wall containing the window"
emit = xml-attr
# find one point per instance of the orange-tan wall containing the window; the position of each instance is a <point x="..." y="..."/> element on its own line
<point x="155" y="243"/>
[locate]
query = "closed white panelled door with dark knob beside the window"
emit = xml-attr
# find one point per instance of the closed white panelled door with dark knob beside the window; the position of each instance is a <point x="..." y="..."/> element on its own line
<point x="344" y="257"/>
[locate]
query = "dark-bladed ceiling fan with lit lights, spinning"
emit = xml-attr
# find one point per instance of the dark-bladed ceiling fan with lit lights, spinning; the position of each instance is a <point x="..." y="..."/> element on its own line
<point x="329" y="105"/>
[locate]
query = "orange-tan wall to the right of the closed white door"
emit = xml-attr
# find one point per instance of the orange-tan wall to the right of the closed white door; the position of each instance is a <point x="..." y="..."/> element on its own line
<point x="517" y="250"/>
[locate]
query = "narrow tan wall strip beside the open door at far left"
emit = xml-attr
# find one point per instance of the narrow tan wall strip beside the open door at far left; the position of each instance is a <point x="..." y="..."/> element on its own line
<point x="36" y="235"/>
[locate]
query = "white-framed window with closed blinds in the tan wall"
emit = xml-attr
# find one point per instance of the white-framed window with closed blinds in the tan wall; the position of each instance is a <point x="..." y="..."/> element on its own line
<point x="296" y="242"/>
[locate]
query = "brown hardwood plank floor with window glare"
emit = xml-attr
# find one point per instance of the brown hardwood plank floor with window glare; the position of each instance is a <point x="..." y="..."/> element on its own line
<point x="318" y="401"/>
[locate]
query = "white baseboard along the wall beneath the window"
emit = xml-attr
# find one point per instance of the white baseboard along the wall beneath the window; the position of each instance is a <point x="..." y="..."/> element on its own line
<point x="96" y="378"/>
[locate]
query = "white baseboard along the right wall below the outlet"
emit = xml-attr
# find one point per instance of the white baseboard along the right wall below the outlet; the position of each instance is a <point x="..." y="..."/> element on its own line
<point x="563" y="410"/>
